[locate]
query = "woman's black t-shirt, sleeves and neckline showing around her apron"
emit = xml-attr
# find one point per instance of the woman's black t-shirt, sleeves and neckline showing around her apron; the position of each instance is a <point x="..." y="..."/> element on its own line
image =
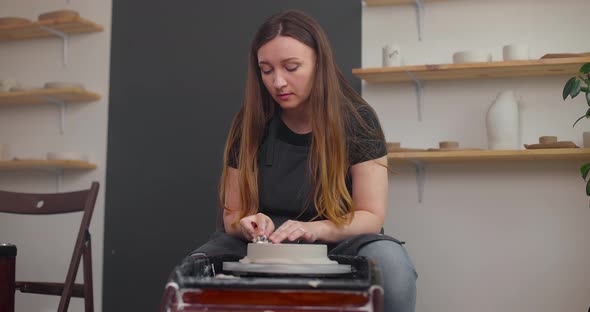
<point x="363" y="143"/>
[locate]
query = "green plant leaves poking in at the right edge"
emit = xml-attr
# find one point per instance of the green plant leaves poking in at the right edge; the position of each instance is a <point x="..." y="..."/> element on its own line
<point x="580" y="84"/>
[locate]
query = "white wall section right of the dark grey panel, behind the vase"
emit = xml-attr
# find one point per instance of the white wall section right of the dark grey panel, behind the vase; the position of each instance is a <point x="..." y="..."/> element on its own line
<point x="488" y="236"/>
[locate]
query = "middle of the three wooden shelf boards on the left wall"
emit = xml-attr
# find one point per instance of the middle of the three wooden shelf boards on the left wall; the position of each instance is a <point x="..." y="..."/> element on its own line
<point x="45" y="96"/>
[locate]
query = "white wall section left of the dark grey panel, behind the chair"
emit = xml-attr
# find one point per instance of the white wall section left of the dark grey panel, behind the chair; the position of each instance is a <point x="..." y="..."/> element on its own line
<point x="33" y="130"/>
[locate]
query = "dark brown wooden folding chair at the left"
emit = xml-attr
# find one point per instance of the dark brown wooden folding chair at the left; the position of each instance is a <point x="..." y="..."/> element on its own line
<point x="59" y="203"/>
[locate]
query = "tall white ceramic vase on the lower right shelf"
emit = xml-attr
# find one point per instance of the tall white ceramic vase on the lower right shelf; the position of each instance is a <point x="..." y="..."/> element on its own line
<point x="502" y="122"/>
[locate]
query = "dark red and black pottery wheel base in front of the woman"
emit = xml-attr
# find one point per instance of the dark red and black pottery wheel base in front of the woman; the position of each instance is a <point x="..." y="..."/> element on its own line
<point x="196" y="286"/>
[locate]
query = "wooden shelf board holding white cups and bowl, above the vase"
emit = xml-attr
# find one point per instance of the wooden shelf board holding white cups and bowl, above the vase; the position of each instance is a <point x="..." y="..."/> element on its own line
<point x="542" y="67"/>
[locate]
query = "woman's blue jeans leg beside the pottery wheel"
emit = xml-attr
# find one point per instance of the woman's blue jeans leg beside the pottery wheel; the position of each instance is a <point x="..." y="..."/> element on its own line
<point x="399" y="274"/>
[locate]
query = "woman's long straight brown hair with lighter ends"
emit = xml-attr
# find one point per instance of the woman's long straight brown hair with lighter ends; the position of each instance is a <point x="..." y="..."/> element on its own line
<point x="335" y="109"/>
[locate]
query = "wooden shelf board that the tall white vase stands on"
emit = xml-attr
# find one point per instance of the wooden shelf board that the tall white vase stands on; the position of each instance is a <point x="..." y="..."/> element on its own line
<point x="489" y="155"/>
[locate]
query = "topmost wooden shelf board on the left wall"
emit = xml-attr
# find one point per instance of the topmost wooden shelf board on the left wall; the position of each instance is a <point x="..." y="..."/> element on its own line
<point x="32" y="30"/>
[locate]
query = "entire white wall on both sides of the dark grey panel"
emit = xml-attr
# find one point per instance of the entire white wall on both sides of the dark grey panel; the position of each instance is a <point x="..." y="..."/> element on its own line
<point x="487" y="236"/>
